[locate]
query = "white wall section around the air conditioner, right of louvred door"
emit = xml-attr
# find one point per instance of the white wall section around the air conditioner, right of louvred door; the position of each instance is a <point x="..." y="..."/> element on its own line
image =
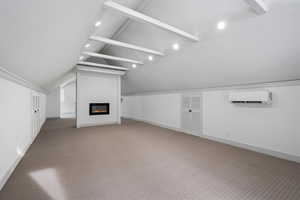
<point x="274" y="127"/>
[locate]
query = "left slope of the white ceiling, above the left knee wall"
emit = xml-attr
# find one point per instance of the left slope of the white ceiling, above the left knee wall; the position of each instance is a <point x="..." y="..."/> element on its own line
<point x="42" y="40"/>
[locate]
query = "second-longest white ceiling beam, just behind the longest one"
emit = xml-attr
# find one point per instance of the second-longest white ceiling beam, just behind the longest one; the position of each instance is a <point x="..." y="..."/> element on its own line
<point x="125" y="45"/>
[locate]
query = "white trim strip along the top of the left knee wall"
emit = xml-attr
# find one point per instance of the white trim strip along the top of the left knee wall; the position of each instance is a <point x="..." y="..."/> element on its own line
<point x="19" y="80"/>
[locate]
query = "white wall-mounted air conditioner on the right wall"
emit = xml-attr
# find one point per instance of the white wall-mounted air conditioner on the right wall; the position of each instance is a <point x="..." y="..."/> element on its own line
<point x="262" y="97"/>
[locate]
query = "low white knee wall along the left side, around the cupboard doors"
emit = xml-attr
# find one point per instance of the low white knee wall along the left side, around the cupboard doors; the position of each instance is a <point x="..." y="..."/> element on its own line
<point x="16" y="125"/>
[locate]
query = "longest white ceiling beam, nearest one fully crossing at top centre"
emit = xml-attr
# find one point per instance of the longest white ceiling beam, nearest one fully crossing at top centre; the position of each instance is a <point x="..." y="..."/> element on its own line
<point x="142" y="17"/>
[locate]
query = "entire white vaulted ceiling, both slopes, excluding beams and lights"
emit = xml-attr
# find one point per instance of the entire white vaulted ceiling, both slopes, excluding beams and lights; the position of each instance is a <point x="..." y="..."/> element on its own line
<point x="42" y="40"/>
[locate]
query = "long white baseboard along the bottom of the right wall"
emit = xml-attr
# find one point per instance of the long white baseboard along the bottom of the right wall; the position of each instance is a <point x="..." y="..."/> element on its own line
<point x="229" y="142"/>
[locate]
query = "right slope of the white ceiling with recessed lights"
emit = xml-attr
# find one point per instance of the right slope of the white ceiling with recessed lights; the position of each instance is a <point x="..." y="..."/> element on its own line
<point x="252" y="49"/>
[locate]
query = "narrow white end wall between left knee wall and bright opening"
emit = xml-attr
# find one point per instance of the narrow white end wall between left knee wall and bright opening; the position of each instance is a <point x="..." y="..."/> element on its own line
<point x="53" y="104"/>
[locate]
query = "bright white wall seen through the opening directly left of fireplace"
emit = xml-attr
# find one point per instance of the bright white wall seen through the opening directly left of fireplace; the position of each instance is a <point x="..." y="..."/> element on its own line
<point x="68" y="101"/>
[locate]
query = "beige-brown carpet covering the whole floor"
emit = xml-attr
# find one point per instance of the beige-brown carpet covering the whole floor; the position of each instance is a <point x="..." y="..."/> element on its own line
<point x="137" y="161"/>
